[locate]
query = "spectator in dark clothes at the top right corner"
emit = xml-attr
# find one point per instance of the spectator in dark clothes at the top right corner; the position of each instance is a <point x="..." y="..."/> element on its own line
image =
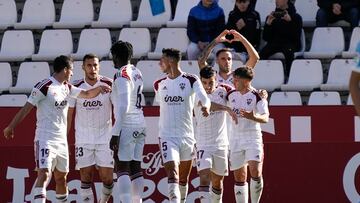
<point x="331" y="11"/>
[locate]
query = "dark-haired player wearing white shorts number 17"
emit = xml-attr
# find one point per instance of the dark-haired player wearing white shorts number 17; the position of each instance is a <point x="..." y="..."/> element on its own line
<point x="211" y="138"/>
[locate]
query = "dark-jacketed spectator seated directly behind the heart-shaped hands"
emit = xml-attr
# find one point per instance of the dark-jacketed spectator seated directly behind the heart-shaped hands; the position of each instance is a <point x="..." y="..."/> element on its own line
<point x="246" y="21"/>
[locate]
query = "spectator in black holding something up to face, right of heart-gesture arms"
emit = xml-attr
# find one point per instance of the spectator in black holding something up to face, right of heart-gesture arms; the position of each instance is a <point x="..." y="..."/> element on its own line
<point x="282" y="32"/>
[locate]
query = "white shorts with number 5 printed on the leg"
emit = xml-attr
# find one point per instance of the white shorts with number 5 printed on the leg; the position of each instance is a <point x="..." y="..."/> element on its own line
<point x="176" y="149"/>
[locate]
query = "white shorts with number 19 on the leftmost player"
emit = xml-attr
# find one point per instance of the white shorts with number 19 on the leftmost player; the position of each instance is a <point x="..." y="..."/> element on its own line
<point x="51" y="156"/>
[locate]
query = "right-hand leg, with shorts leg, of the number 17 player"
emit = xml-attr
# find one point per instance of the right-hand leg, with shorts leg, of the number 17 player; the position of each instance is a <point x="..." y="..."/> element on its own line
<point x="219" y="170"/>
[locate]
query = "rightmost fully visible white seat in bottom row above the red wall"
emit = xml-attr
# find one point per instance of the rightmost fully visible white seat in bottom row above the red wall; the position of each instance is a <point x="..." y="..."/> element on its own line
<point x="324" y="98"/>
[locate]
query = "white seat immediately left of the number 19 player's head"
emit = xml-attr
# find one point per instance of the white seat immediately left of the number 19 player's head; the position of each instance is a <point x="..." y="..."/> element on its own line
<point x="30" y="73"/>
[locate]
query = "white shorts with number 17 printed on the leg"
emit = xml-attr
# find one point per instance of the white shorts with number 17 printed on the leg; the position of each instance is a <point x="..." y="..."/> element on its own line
<point x="215" y="159"/>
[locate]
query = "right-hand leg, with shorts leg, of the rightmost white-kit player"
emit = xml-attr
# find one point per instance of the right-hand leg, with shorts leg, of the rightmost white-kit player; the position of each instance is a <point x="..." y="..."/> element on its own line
<point x="255" y="167"/>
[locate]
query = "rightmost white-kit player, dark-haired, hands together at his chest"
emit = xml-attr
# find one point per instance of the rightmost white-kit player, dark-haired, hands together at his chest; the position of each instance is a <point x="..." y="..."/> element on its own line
<point x="246" y="144"/>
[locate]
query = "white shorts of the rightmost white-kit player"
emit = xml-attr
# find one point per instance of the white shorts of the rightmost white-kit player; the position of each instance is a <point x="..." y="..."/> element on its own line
<point x="247" y="152"/>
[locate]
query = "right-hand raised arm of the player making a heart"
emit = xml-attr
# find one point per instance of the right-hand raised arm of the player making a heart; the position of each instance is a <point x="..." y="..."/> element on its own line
<point x="253" y="55"/>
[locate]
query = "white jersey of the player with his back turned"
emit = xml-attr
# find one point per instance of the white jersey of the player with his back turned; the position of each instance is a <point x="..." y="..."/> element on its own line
<point x="127" y="88"/>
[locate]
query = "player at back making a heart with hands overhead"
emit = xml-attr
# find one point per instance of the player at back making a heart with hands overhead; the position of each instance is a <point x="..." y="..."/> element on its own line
<point x="224" y="56"/>
